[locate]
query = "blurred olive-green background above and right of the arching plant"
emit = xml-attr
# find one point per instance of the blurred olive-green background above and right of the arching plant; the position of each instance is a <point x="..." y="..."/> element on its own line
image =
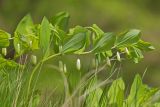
<point x="110" y="15"/>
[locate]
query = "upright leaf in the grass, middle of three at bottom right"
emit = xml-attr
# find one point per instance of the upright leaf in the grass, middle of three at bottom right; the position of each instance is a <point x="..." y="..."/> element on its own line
<point x="116" y="93"/>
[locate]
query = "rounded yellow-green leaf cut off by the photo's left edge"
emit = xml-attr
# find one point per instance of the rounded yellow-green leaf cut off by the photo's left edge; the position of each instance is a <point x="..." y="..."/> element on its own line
<point x="4" y="39"/>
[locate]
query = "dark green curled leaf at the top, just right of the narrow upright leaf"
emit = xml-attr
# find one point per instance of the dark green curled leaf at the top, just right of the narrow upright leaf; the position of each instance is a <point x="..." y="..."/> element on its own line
<point x="61" y="20"/>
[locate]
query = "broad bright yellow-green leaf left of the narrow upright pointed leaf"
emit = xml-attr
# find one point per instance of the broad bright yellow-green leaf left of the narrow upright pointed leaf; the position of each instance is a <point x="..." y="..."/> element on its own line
<point x="25" y="36"/>
